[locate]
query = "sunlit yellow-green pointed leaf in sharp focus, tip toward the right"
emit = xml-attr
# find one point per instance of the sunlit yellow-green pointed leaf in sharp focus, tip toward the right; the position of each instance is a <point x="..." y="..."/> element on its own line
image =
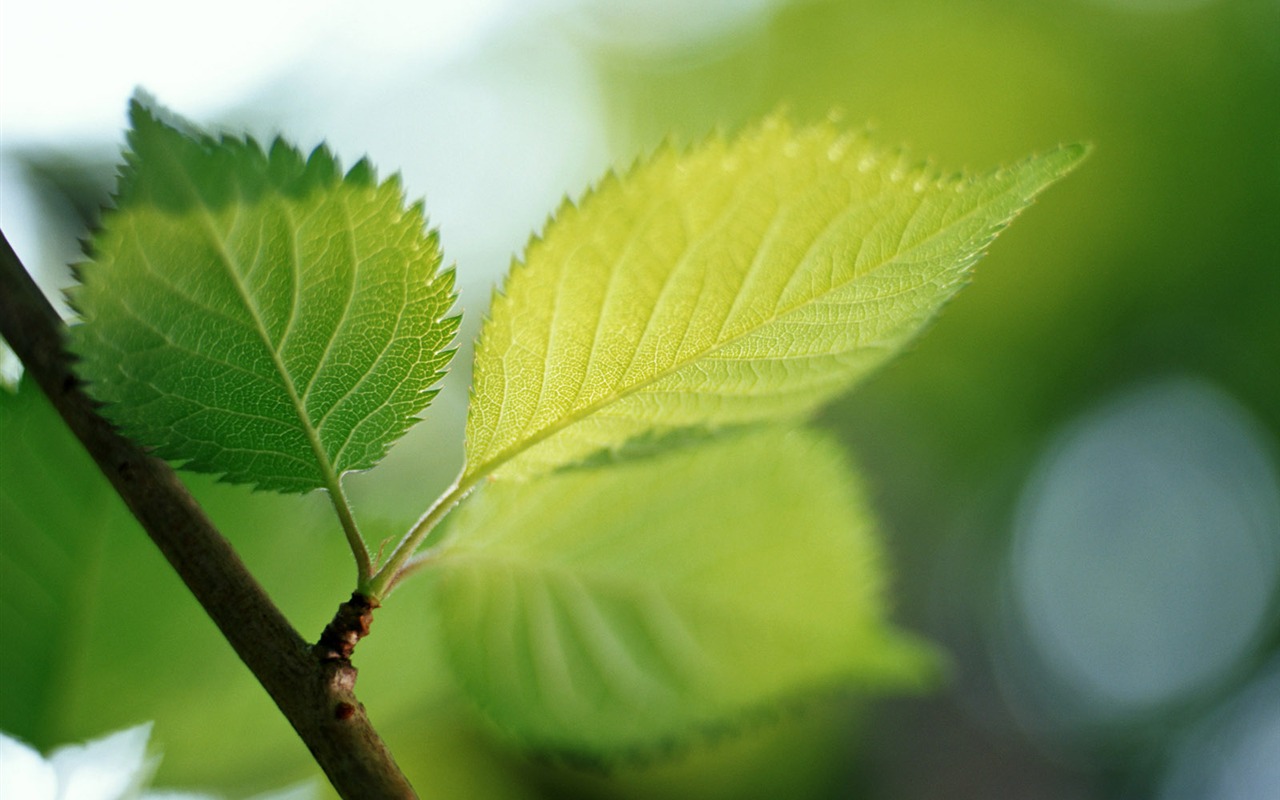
<point x="730" y="285"/>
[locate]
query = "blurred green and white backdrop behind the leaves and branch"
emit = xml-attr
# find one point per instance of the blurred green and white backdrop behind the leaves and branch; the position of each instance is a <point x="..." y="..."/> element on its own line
<point x="1076" y="468"/>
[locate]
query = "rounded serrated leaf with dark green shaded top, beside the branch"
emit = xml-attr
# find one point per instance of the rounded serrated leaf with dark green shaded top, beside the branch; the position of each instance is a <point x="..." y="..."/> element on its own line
<point x="260" y="316"/>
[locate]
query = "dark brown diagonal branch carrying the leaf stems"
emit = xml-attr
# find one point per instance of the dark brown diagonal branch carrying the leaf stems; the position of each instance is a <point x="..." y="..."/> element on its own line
<point x="314" y="693"/>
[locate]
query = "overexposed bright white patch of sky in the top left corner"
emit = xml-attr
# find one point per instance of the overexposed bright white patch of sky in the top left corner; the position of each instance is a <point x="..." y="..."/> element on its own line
<point x="68" y="66"/>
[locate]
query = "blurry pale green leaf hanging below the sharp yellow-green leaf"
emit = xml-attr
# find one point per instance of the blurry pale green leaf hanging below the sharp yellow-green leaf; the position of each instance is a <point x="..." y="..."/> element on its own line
<point x="600" y="610"/>
